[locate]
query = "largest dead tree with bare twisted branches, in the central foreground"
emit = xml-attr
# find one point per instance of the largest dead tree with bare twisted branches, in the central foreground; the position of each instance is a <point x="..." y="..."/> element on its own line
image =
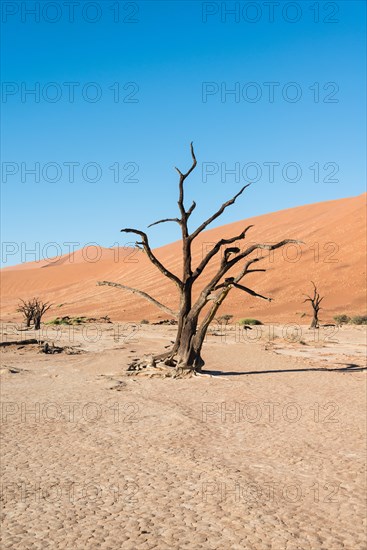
<point x="185" y="356"/>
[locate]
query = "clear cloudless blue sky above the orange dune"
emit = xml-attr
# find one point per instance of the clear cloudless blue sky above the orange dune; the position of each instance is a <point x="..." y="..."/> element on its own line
<point x="169" y="50"/>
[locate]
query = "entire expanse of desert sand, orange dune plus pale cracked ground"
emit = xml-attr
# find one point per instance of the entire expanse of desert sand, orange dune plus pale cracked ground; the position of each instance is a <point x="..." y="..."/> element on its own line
<point x="264" y="450"/>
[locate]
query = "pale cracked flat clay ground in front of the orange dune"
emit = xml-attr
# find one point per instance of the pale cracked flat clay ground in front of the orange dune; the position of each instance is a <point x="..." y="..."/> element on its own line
<point x="265" y="451"/>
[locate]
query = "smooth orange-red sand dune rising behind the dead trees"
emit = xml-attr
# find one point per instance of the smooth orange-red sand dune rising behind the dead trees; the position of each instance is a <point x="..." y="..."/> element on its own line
<point x="333" y="256"/>
